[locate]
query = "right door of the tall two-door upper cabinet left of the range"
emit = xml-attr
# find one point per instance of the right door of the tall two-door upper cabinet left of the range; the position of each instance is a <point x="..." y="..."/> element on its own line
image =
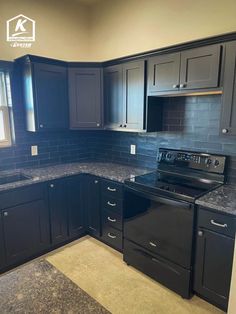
<point x="133" y="95"/>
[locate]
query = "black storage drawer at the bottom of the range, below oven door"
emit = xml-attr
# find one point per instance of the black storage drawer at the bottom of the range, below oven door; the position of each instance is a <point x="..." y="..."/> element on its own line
<point x="170" y="275"/>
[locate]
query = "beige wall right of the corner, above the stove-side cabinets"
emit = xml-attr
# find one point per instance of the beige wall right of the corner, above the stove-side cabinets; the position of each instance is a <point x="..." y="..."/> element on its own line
<point x="123" y="27"/>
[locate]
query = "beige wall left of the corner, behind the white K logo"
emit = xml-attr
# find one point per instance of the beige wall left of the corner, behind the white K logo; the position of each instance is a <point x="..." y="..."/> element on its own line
<point x="61" y="28"/>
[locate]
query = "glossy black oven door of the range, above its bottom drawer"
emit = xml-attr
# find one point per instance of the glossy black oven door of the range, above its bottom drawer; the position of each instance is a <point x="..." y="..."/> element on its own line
<point x="161" y="225"/>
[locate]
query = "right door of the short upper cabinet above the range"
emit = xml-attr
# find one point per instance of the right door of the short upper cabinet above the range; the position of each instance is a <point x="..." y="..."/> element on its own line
<point x="200" y="67"/>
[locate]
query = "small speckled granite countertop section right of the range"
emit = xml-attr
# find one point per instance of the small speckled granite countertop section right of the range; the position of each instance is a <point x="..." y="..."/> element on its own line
<point x="222" y="199"/>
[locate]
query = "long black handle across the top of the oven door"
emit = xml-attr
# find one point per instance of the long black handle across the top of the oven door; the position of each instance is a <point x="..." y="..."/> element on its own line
<point x="156" y="198"/>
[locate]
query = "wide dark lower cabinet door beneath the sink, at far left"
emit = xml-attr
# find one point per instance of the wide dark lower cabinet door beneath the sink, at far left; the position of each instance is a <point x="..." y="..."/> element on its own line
<point x="26" y="230"/>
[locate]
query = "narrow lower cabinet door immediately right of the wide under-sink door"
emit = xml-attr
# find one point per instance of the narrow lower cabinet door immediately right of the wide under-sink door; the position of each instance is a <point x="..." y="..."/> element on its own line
<point x="58" y="211"/>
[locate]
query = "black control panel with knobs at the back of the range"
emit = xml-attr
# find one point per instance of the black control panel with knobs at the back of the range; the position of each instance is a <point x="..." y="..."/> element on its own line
<point x="192" y="160"/>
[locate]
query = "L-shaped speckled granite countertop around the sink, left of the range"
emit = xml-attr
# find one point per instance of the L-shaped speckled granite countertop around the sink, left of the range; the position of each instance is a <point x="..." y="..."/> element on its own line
<point x="112" y="171"/>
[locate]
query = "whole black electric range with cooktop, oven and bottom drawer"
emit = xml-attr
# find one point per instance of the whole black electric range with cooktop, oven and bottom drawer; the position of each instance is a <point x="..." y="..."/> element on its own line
<point x="159" y="215"/>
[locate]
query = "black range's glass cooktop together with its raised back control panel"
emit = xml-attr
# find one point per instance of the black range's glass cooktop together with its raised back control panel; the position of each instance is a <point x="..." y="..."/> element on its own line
<point x="182" y="175"/>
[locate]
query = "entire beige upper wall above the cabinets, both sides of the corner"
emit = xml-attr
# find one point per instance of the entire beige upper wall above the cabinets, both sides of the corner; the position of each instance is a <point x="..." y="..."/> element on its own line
<point x="106" y="29"/>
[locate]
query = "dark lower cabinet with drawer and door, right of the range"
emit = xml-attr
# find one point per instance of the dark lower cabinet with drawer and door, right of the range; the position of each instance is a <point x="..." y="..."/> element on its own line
<point x="214" y="257"/>
